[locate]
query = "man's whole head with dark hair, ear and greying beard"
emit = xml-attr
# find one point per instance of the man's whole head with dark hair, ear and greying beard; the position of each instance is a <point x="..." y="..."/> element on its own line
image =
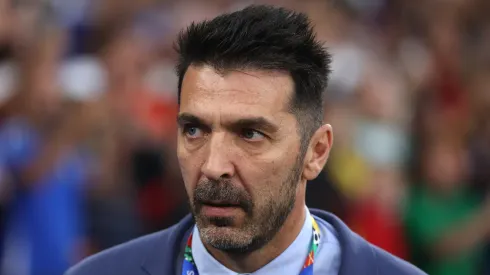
<point x="251" y="113"/>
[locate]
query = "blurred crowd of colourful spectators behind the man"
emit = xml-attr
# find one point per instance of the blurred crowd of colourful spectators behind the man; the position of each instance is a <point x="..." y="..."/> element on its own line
<point x="87" y="126"/>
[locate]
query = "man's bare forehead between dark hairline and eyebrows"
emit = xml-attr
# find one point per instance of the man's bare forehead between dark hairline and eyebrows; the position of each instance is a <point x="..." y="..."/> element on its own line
<point x="247" y="92"/>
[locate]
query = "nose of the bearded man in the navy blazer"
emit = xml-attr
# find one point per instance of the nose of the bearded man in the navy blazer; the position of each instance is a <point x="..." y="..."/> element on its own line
<point x="218" y="164"/>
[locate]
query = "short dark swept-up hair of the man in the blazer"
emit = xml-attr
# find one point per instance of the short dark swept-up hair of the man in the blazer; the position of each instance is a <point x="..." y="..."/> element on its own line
<point x="268" y="38"/>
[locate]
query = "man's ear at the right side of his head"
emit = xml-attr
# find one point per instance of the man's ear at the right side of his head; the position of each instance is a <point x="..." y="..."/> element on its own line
<point x="318" y="151"/>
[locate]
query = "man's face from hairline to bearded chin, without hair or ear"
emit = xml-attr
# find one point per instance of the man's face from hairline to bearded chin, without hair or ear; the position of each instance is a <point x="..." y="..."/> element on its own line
<point x="239" y="152"/>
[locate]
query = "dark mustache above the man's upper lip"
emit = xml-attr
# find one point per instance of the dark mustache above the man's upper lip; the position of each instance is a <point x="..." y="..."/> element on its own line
<point x="223" y="191"/>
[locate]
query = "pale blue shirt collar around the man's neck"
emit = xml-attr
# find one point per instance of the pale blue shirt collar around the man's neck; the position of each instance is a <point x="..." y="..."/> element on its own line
<point x="290" y="262"/>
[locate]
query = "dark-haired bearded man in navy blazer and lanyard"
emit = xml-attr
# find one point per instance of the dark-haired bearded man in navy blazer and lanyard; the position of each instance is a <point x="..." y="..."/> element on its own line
<point x="251" y="135"/>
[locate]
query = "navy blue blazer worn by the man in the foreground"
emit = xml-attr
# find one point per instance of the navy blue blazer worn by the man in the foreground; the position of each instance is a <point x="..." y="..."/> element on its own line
<point x="161" y="253"/>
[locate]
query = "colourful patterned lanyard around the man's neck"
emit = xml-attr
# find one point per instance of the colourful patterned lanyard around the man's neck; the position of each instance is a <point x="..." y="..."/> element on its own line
<point x="189" y="266"/>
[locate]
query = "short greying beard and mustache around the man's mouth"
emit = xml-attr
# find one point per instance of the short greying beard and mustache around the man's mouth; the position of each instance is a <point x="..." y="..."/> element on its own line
<point x="261" y="222"/>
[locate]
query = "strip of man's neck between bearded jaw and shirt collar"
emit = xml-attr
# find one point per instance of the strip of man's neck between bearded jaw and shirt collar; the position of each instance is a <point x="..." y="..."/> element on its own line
<point x="253" y="261"/>
